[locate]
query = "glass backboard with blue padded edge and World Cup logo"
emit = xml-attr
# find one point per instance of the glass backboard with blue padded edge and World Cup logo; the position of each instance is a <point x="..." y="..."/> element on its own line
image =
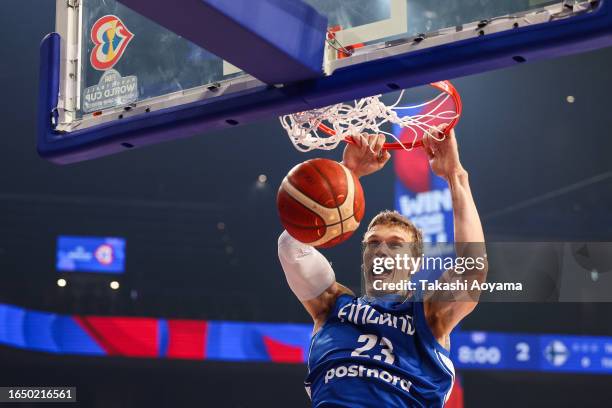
<point x="118" y="75"/>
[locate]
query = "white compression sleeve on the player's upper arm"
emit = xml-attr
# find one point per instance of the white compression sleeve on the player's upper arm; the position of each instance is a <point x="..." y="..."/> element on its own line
<point x="307" y="271"/>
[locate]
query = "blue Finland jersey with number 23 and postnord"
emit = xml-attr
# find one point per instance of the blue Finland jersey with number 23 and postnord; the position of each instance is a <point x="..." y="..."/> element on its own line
<point x="377" y="354"/>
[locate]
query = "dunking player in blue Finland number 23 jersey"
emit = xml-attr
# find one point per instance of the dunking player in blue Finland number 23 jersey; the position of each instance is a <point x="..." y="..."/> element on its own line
<point x="377" y="351"/>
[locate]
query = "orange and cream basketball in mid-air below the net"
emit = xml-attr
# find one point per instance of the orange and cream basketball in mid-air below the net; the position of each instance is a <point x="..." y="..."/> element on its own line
<point x="320" y="203"/>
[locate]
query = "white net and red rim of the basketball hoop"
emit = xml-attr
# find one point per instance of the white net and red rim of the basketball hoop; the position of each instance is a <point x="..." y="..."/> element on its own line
<point x="325" y="128"/>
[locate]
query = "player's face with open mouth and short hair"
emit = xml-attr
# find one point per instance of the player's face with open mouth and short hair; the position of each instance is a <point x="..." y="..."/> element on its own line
<point x="386" y="243"/>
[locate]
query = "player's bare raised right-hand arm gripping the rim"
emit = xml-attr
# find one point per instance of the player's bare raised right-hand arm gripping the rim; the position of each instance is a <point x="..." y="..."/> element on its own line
<point x="445" y="310"/>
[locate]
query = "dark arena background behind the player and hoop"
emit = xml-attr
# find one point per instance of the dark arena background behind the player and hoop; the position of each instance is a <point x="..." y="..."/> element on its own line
<point x="520" y="138"/>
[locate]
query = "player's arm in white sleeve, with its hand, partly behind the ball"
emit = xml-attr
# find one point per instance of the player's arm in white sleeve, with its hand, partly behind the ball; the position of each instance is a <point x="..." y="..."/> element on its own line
<point x="309" y="275"/>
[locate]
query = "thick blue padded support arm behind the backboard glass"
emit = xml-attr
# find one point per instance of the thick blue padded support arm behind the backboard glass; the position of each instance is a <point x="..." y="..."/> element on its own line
<point x="276" y="41"/>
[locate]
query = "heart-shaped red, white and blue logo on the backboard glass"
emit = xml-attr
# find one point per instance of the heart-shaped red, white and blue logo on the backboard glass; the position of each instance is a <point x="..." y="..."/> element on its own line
<point x="111" y="37"/>
